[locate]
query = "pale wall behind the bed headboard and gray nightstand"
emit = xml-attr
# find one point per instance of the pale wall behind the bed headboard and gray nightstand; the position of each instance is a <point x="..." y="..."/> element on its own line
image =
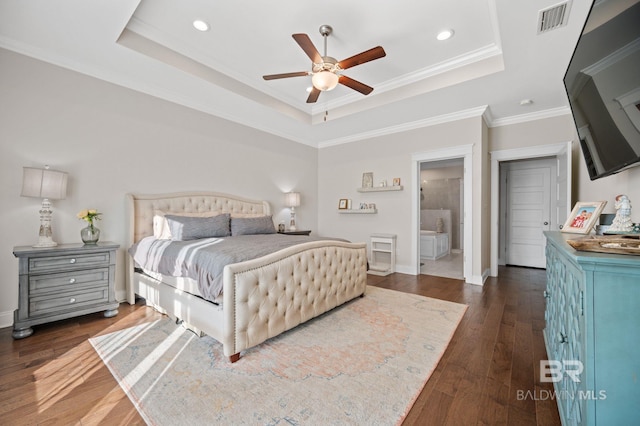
<point x="111" y="141"/>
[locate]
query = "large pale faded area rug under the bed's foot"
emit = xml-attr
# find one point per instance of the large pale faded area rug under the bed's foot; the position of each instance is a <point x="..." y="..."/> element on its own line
<point x="362" y="363"/>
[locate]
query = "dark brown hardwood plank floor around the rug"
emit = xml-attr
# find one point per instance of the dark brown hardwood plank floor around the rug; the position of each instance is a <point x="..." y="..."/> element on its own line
<point x="487" y="376"/>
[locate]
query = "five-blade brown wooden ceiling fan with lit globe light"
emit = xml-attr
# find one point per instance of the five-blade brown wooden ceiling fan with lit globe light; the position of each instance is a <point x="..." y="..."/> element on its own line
<point x="325" y="70"/>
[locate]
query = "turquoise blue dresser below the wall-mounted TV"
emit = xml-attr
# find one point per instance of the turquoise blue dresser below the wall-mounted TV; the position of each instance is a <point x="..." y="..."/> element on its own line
<point x="592" y="334"/>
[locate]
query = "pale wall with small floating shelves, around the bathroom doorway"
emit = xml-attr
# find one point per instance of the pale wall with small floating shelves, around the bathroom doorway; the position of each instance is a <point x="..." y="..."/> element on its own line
<point x="340" y="174"/>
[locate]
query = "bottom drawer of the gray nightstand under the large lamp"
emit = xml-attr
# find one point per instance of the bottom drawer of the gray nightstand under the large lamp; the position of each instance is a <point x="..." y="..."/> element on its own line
<point x="44" y="305"/>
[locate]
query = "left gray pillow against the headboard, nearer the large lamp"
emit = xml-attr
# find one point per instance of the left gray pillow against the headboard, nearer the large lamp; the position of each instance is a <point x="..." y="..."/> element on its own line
<point x="185" y="228"/>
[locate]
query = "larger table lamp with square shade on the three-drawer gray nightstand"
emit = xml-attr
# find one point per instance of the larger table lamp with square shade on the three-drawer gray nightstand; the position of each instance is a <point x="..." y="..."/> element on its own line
<point x="49" y="185"/>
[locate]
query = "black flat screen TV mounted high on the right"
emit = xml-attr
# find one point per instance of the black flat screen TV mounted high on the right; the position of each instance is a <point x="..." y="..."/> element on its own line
<point x="603" y="87"/>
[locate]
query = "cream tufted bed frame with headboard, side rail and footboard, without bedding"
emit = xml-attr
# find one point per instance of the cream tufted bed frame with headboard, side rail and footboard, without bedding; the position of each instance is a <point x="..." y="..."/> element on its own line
<point x="261" y="297"/>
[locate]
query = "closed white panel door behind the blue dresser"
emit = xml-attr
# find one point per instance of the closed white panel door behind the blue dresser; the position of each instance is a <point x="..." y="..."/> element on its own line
<point x="529" y="210"/>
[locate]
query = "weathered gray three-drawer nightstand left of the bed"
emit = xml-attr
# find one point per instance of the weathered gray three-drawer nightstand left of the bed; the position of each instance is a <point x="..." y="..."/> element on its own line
<point x="65" y="281"/>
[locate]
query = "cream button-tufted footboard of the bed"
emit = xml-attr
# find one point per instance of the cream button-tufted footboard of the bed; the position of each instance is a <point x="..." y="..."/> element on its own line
<point x="267" y="296"/>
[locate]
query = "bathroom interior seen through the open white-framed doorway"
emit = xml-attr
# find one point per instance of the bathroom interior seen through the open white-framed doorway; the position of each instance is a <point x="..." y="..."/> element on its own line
<point x="441" y="218"/>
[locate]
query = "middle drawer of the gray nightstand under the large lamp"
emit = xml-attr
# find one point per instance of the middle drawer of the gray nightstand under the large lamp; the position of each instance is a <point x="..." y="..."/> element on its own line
<point x="68" y="281"/>
